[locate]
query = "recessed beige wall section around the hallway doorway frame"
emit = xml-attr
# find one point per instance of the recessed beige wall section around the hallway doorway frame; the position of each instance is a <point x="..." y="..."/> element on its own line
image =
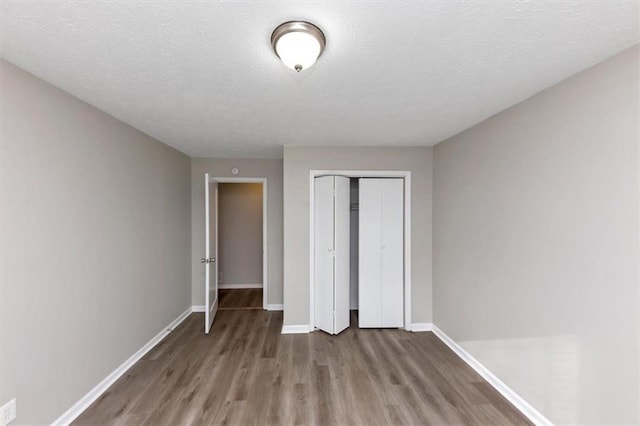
<point x="257" y="168"/>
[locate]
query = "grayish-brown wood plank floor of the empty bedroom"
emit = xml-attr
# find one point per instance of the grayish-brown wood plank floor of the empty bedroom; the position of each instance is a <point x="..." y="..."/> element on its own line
<point x="245" y="372"/>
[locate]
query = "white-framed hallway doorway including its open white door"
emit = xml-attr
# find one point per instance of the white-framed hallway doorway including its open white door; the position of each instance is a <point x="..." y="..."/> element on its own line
<point x="235" y="245"/>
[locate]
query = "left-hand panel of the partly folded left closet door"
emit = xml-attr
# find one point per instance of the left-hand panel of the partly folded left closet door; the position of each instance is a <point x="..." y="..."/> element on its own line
<point x="323" y="253"/>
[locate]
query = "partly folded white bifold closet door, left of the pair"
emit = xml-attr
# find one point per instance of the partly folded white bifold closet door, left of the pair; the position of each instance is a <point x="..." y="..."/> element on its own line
<point x="331" y="253"/>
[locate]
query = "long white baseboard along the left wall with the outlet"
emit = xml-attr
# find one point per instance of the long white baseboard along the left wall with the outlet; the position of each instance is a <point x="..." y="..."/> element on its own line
<point x="72" y="413"/>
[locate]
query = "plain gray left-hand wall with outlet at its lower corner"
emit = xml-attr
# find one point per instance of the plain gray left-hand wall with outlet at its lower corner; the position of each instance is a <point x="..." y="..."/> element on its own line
<point x="94" y="248"/>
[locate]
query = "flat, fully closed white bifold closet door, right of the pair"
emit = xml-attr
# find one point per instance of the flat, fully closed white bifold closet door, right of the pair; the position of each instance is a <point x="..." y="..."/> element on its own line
<point x="381" y="253"/>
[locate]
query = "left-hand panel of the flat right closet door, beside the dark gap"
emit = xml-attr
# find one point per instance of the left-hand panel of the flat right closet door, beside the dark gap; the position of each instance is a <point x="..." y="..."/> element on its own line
<point x="369" y="259"/>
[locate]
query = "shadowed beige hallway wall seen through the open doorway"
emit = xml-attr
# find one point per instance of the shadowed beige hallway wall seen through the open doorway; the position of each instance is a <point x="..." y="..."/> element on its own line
<point x="240" y="233"/>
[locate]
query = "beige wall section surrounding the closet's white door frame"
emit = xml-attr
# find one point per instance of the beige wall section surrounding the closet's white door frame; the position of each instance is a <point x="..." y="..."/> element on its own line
<point x="298" y="161"/>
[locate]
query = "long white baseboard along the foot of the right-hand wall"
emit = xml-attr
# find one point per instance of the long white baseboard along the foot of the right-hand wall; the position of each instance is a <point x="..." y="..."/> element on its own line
<point x="525" y="408"/>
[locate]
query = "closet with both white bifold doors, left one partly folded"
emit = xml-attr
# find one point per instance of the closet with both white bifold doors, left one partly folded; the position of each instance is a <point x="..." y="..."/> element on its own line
<point x="358" y="268"/>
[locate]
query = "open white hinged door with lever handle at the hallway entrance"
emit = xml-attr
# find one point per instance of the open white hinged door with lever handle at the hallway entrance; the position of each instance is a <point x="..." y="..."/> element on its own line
<point x="211" y="251"/>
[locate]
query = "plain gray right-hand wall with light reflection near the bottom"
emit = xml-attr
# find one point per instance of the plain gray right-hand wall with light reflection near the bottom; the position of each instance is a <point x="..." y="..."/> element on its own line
<point x="536" y="245"/>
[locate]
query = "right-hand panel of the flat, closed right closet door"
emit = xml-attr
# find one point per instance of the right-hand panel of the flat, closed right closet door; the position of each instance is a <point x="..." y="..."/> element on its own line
<point x="392" y="249"/>
